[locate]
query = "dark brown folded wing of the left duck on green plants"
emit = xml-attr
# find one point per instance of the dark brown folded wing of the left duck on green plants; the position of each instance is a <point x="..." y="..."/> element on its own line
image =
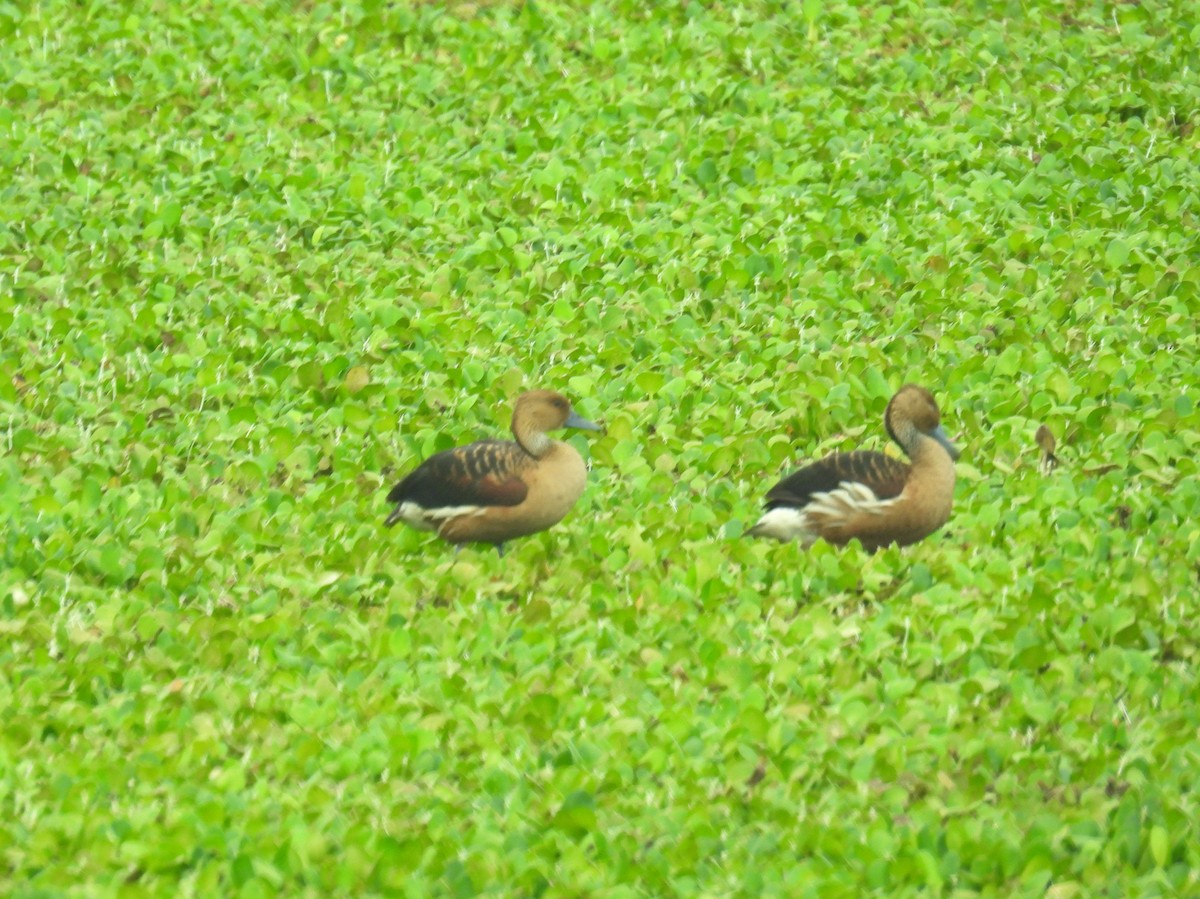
<point x="483" y="474"/>
